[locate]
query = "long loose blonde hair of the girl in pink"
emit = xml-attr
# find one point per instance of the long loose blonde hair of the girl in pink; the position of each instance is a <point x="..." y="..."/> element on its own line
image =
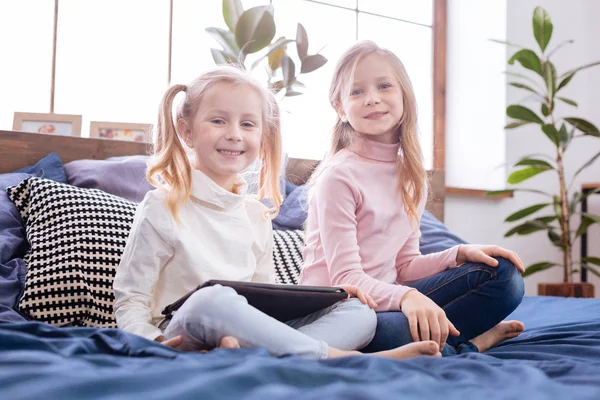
<point x="412" y="177"/>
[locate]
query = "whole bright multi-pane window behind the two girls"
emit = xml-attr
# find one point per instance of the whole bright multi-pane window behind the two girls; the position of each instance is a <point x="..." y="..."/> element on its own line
<point x="112" y="57"/>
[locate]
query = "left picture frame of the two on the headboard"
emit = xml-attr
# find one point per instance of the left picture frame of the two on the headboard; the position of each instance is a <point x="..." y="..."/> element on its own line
<point x="47" y="123"/>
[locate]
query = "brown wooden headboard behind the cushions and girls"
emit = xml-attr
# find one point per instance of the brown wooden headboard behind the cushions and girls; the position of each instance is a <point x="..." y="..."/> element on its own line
<point x="20" y="149"/>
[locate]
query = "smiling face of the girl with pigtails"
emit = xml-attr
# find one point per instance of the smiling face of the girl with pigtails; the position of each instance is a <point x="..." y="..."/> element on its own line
<point x="226" y="131"/>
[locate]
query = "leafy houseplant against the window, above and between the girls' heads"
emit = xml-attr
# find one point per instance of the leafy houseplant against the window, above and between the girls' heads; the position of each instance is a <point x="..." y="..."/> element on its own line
<point x="252" y="31"/>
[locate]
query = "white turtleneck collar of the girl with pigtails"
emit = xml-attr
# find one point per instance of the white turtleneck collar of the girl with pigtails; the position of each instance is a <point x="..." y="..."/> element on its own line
<point x="207" y="190"/>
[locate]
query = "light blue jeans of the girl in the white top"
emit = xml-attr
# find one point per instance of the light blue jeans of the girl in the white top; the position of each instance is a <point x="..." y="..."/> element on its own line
<point x="214" y="312"/>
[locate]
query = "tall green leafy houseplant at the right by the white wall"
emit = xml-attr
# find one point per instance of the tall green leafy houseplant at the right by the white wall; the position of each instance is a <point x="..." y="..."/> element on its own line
<point x="543" y="89"/>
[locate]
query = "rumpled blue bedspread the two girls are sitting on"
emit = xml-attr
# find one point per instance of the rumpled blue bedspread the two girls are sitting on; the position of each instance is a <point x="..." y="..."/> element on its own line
<point x="558" y="357"/>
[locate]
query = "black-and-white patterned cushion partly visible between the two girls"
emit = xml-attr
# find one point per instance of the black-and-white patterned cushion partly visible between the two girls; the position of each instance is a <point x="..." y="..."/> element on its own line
<point x="287" y="254"/>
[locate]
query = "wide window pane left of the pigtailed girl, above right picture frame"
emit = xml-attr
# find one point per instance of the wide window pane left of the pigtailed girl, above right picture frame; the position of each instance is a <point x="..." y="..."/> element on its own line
<point x="111" y="59"/>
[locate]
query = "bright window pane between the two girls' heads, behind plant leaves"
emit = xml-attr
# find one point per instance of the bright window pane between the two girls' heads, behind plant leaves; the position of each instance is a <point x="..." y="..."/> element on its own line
<point x="307" y="119"/>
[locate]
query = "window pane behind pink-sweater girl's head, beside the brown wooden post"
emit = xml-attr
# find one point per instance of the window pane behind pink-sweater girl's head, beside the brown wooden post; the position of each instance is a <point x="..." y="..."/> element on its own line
<point x="416" y="55"/>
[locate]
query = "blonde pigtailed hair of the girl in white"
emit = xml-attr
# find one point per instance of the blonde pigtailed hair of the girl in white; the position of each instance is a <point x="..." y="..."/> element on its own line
<point x="171" y="162"/>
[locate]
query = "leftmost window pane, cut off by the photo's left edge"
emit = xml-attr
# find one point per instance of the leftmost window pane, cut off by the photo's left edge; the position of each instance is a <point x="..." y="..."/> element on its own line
<point x="26" y="48"/>
